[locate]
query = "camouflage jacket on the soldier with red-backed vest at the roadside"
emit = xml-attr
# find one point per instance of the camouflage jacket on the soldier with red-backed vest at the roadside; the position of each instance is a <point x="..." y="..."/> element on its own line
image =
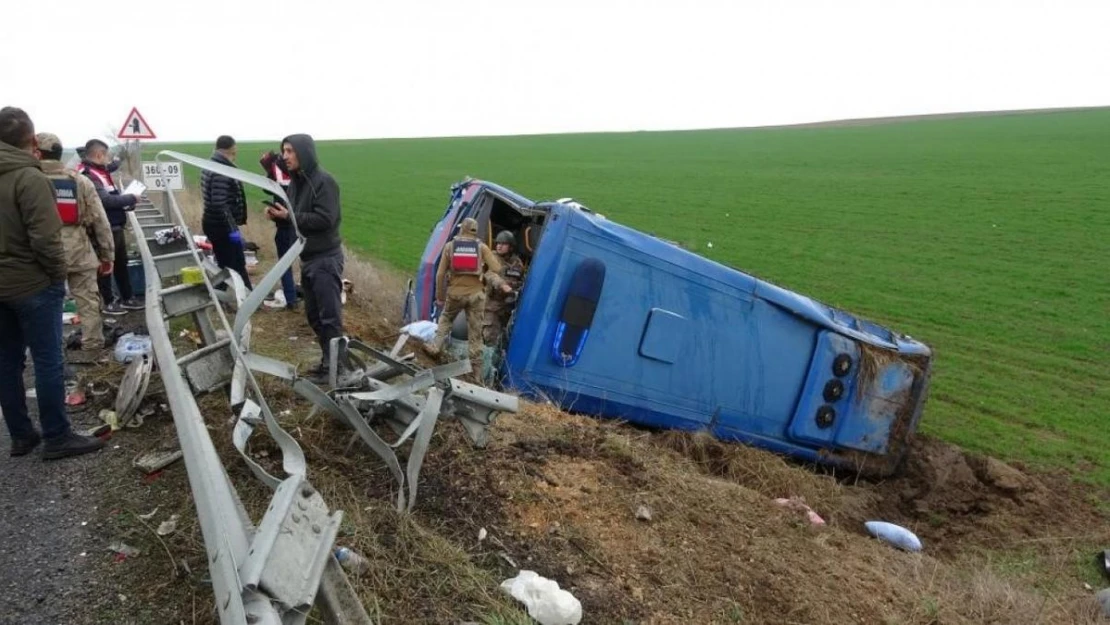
<point x="88" y="243"/>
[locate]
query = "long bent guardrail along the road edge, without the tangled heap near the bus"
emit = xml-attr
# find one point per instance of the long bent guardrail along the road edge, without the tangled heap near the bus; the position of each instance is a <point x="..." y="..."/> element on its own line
<point x="271" y="574"/>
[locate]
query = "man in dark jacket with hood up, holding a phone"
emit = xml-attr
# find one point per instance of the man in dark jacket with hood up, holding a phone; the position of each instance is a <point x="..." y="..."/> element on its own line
<point x="316" y="199"/>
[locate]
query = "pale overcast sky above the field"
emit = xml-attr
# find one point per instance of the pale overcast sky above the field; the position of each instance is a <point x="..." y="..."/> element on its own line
<point x="264" y="69"/>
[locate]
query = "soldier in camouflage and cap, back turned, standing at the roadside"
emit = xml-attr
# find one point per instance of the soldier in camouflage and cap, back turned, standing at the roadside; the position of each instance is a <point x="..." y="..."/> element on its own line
<point x="83" y="217"/>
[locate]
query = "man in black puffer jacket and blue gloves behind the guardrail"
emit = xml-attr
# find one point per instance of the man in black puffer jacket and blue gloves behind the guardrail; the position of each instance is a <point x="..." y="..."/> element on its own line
<point x="225" y="211"/>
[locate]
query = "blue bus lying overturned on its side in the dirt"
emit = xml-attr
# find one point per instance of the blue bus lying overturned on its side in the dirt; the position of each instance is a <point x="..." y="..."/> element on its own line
<point x="617" y="324"/>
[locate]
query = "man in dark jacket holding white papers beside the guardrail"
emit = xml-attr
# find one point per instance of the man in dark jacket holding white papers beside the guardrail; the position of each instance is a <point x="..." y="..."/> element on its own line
<point x="96" y="167"/>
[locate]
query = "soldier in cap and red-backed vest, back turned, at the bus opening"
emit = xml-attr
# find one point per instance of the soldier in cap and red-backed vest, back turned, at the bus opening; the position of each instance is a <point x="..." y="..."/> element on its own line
<point x="460" y="286"/>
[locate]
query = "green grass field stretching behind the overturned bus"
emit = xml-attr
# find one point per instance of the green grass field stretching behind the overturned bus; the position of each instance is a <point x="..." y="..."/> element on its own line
<point x="986" y="237"/>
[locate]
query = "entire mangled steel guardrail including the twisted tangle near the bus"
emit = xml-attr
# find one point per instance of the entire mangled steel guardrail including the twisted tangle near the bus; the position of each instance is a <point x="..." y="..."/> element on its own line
<point x="271" y="573"/>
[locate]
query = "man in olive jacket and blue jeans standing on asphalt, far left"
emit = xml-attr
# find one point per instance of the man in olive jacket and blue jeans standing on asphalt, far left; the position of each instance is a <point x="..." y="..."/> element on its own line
<point x="33" y="264"/>
